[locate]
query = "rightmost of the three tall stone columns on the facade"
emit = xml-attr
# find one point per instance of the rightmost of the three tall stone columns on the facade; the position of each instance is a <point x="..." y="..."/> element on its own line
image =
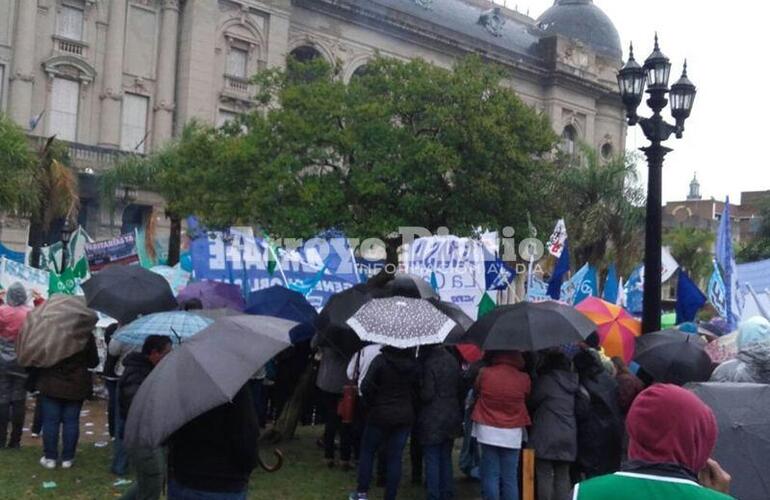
<point x="164" y="94"/>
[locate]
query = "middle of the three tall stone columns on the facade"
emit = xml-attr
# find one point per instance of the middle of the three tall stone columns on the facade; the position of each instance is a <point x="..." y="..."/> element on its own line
<point x="112" y="90"/>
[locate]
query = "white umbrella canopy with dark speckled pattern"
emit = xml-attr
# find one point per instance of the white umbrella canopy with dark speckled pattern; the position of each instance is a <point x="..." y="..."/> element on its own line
<point x="401" y="322"/>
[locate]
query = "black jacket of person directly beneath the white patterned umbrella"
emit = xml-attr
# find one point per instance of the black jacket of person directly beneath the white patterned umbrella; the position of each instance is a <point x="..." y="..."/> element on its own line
<point x="390" y="387"/>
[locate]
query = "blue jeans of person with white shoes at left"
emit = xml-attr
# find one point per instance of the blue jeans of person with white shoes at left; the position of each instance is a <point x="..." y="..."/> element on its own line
<point x="64" y="415"/>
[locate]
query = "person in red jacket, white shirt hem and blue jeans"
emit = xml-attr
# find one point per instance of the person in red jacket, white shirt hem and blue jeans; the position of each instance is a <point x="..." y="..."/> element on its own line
<point x="499" y="418"/>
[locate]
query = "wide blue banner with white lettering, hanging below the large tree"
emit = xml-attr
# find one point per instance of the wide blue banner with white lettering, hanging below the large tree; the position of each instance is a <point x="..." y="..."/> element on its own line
<point x="243" y="259"/>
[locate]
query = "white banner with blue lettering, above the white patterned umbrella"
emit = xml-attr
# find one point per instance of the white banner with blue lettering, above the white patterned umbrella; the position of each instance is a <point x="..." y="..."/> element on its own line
<point x="458" y="264"/>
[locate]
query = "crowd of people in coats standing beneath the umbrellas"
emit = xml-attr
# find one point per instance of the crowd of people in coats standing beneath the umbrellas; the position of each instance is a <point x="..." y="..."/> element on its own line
<point x="596" y="429"/>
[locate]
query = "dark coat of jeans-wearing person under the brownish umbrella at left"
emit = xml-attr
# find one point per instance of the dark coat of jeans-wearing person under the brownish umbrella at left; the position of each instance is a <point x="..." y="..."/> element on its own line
<point x="70" y="379"/>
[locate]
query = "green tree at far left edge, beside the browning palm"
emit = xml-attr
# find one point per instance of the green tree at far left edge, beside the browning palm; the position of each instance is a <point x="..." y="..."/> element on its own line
<point x="16" y="166"/>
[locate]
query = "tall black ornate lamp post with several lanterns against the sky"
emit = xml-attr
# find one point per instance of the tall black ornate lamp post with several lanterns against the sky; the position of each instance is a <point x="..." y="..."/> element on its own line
<point x="632" y="80"/>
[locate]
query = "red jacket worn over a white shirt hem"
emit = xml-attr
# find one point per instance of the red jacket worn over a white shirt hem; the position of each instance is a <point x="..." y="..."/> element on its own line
<point x="502" y="390"/>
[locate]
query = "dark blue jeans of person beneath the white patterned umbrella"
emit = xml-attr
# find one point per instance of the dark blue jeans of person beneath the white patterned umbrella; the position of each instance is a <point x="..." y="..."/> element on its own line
<point x="394" y="441"/>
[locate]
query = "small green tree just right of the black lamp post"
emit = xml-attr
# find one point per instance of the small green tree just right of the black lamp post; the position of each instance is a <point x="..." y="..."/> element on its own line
<point x="692" y="249"/>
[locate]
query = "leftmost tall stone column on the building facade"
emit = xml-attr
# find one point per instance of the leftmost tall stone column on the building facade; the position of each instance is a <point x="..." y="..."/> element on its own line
<point x="22" y="78"/>
